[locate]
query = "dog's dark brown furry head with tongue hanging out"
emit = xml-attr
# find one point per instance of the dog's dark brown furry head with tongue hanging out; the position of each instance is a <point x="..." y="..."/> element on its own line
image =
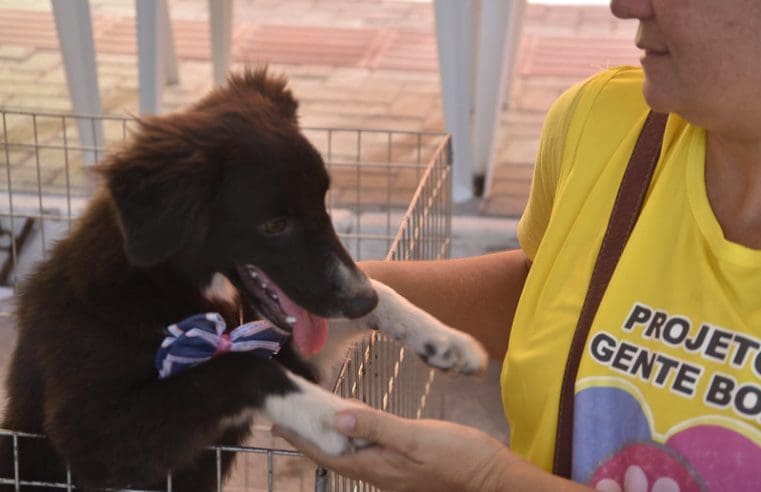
<point x="231" y="186"/>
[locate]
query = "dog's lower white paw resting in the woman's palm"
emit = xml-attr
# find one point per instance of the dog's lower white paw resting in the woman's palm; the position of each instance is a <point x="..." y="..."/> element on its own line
<point x="309" y="412"/>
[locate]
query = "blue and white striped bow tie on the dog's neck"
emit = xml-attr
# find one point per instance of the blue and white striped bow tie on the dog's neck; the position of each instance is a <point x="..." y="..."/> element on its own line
<point x="197" y="339"/>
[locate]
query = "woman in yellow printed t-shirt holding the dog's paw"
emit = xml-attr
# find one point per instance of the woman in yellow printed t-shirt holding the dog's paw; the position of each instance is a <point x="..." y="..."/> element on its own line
<point x="667" y="395"/>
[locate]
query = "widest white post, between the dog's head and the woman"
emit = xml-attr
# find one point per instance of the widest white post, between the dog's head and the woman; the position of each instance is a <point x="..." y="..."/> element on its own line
<point x="477" y="42"/>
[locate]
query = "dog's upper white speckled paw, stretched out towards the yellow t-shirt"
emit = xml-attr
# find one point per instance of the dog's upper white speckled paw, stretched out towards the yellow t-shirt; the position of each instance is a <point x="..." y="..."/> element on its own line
<point x="439" y="345"/>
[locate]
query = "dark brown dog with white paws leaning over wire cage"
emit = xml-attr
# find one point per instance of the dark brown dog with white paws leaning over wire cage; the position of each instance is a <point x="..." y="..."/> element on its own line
<point x="217" y="209"/>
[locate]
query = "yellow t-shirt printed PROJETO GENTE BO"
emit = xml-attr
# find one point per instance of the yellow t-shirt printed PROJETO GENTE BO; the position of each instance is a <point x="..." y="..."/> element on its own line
<point x="668" y="388"/>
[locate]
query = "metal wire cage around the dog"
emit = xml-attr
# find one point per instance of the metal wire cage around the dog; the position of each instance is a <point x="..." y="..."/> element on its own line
<point x="389" y="199"/>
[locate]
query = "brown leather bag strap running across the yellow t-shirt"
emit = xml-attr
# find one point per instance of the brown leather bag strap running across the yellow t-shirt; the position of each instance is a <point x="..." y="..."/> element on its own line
<point x="626" y="209"/>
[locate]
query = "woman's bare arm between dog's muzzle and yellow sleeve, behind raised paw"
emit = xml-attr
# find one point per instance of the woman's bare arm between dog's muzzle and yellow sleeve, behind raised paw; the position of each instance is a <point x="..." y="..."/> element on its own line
<point x="477" y="295"/>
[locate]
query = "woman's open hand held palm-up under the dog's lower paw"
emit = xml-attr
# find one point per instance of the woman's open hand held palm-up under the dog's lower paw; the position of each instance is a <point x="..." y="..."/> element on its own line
<point x="414" y="455"/>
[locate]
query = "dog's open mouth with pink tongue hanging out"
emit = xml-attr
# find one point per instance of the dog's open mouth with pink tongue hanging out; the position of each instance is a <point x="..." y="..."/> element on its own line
<point x="309" y="331"/>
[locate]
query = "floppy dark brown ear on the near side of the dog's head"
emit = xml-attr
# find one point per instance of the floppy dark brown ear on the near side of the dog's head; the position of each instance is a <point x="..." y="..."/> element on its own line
<point x="161" y="185"/>
